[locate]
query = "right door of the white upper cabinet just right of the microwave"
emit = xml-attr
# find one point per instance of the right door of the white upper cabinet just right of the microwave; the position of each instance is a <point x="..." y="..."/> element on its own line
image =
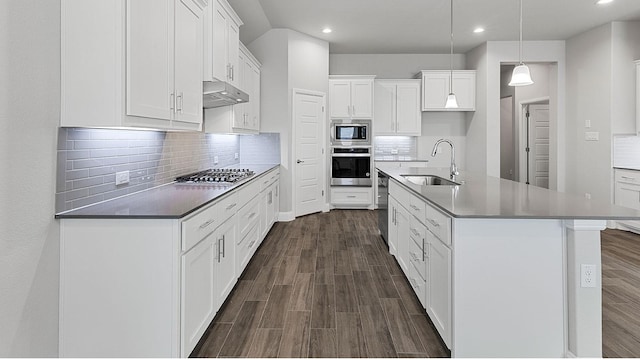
<point x="408" y="110"/>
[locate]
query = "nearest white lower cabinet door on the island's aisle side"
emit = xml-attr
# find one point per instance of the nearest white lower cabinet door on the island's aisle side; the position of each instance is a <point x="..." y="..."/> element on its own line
<point x="439" y="283"/>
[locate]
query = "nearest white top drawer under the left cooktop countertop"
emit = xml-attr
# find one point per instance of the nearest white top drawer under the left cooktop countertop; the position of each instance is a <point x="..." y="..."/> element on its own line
<point x="204" y="222"/>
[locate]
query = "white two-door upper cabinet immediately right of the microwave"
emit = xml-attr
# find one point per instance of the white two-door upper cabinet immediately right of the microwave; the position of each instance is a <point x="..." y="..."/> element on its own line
<point x="397" y="107"/>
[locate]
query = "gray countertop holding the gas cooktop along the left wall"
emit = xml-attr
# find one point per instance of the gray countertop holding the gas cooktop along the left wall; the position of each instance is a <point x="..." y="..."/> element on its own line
<point x="170" y="201"/>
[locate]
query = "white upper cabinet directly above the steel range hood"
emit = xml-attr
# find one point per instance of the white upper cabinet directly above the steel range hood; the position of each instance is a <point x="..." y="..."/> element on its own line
<point x="222" y="43"/>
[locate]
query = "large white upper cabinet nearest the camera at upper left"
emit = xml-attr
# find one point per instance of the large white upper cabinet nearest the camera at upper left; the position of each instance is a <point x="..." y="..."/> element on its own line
<point x="132" y="64"/>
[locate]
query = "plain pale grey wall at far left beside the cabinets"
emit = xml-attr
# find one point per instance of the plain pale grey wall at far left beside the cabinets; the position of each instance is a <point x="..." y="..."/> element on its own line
<point x="29" y="235"/>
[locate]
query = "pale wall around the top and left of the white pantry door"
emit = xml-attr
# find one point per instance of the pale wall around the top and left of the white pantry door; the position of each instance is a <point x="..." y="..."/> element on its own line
<point x="289" y="60"/>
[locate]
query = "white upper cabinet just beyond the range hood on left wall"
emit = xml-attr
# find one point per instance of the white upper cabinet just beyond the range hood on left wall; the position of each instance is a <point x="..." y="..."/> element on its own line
<point x="241" y="118"/>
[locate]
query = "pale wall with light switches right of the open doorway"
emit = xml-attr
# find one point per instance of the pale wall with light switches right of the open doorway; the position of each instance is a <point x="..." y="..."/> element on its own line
<point x="601" y="88"/>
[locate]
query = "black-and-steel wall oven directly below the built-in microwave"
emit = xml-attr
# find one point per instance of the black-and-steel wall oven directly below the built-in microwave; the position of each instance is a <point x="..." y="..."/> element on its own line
<point x="351" y="166"/>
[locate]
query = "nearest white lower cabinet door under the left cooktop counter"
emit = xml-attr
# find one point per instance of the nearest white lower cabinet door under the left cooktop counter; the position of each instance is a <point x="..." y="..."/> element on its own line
<point x="198" y="302"/>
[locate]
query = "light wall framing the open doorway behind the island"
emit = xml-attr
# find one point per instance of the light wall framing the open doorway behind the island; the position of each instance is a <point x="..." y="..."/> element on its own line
<point x="483" y="135"/>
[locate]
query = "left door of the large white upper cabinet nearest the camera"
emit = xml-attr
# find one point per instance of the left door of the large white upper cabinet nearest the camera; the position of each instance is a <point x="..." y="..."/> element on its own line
<point x="150" y="58"/>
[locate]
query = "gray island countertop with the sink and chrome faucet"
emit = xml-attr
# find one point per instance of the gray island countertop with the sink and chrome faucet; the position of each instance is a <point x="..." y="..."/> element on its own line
<point x="480" y="196"/>
